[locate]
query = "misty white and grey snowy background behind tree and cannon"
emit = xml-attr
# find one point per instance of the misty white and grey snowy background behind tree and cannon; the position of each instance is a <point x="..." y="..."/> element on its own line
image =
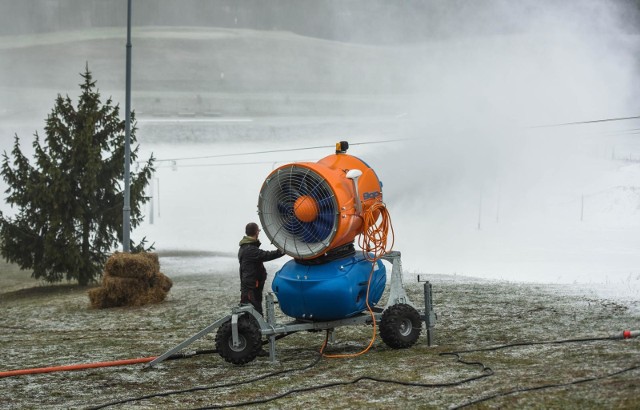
<point x="515" y="150"/>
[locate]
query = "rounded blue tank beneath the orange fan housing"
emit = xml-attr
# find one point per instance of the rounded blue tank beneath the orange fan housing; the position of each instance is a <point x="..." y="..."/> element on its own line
<point x="328" y="291"/>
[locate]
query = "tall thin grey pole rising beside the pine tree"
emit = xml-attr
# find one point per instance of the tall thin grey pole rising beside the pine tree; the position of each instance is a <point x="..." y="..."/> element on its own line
<point x="126" y="209"/>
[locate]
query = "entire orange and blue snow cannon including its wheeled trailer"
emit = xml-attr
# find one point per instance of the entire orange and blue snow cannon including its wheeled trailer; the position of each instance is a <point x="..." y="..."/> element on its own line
<point x="314" y="212"/>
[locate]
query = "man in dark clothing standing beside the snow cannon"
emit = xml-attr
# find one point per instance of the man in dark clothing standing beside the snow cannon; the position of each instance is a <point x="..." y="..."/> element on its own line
<point x="252" y="271"/>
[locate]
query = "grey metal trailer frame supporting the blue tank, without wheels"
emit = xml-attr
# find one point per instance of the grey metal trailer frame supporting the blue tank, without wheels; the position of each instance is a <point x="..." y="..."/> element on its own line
<point x="270" y="328"/>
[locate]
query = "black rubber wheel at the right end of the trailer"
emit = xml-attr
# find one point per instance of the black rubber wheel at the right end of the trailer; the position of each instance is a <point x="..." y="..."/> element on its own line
<point x="400" y="326"/>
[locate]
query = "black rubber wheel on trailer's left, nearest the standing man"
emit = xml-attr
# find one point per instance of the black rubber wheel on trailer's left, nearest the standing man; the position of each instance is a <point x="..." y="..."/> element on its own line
<point x="250" y="341"/>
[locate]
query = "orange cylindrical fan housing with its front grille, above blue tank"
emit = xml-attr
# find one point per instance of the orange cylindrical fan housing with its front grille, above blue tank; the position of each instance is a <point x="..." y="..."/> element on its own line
<point x="307" y="209"/>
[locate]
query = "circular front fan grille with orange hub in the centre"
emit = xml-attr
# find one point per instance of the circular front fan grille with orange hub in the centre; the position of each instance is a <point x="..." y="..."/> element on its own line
<point x="298" y="211"/>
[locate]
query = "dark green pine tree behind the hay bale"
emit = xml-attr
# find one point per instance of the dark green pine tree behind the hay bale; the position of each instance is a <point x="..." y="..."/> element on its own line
<point x="69" y="202"/>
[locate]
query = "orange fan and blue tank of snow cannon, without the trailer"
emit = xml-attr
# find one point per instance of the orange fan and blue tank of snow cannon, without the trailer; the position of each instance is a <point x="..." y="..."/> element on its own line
<point x="313" y="212"/>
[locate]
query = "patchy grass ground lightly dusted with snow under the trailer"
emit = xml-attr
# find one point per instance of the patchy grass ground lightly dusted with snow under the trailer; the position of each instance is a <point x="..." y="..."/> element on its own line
<point x="53" y="325"/>
